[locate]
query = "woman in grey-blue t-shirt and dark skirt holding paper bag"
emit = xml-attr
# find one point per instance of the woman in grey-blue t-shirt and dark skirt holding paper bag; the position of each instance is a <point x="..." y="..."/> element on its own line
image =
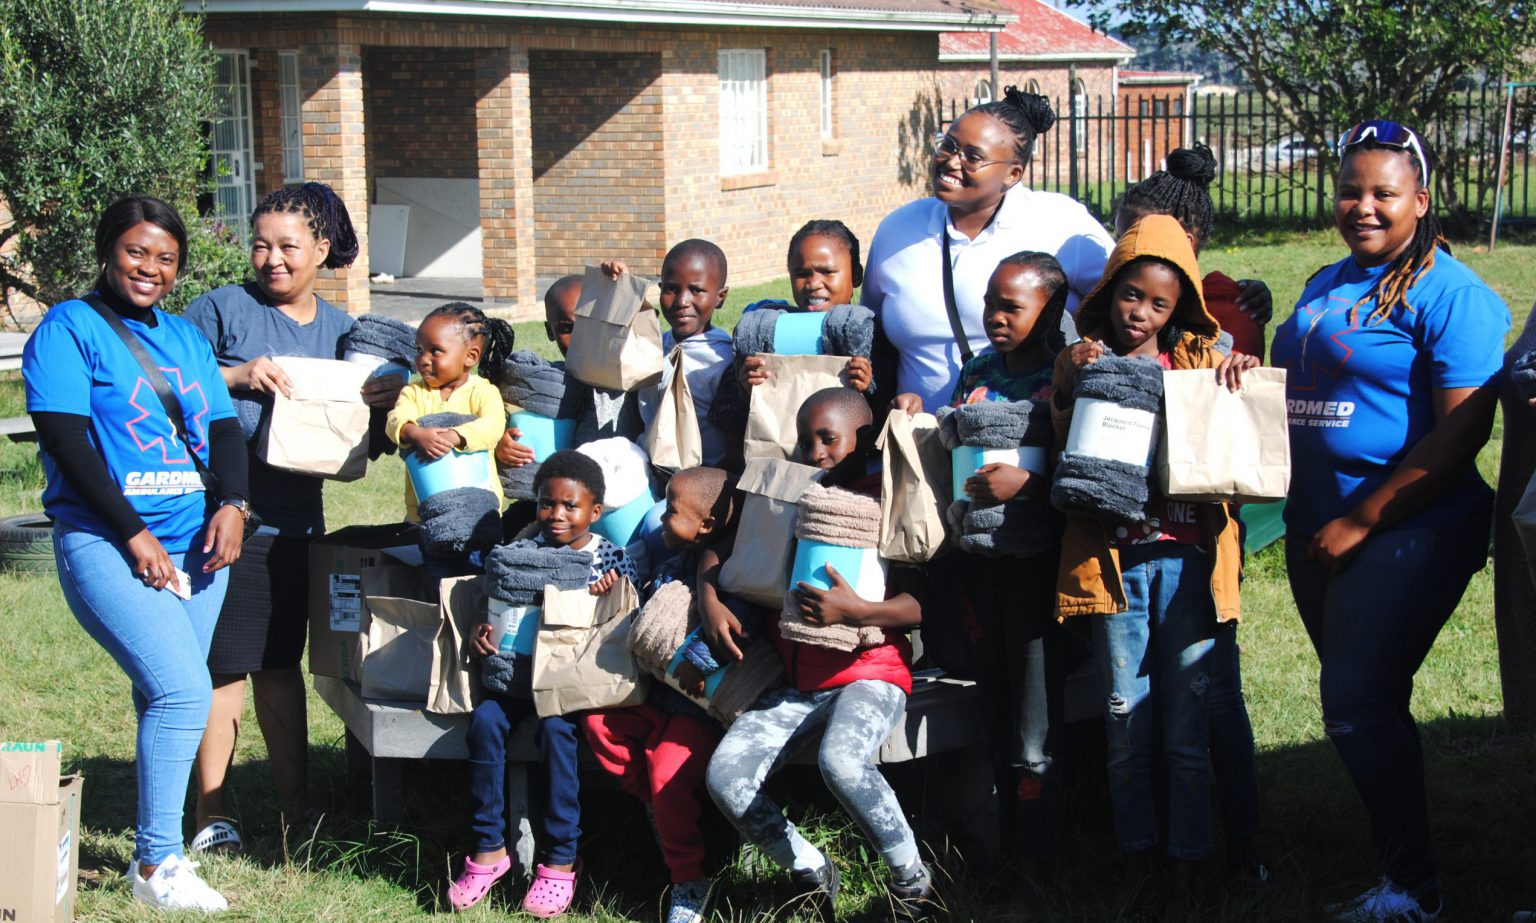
<point x="294" y="234"/>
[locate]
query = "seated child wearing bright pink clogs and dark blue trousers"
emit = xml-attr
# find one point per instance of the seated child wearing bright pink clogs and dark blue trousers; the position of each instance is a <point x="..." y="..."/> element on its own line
<point x="569" y="492"/>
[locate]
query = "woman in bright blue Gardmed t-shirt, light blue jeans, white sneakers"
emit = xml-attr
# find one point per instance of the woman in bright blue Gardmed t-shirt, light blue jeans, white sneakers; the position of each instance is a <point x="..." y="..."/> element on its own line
<point x="142" y="549"/>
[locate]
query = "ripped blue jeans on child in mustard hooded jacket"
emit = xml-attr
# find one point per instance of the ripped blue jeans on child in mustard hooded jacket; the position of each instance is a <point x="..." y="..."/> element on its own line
<point x="1153" y="661"/>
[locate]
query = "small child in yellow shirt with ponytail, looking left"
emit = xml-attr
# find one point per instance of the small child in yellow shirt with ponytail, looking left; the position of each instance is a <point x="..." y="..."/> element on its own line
<point x="451" y="343"/>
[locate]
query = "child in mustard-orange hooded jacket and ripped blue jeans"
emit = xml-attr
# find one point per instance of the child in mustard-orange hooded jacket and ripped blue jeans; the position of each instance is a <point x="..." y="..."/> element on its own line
<point x="1156" y="587"/>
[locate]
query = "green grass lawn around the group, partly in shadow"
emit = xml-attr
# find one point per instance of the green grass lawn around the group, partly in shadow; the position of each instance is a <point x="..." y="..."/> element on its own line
<point x="1483" y="790"/>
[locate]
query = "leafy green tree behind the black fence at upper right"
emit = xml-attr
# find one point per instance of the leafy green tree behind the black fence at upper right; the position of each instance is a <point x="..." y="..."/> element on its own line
<point x="1329" y="64"/>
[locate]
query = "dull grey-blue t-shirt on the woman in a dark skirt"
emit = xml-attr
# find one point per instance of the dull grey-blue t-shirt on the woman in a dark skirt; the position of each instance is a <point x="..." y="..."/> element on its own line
<point x="243" y="325"/>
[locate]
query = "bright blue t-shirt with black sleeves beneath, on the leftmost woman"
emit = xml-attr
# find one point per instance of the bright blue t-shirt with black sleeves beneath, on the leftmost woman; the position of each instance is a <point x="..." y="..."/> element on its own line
<point x="74" y="363"/>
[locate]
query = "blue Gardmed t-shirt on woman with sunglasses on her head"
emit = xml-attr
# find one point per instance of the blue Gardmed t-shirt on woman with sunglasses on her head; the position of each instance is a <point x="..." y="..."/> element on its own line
<point x="1362" y="395"/>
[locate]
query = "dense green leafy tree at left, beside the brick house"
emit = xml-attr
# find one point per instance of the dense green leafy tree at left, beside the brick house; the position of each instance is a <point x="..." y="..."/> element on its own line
<point x="99" y="99"/>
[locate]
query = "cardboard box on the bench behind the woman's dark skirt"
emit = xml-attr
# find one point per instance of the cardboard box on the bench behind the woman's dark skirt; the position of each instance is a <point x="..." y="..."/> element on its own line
<point x="336" y="592"/>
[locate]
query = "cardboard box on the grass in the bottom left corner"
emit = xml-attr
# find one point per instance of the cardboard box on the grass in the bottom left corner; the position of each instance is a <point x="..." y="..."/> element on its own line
<point x="39" y="835"/>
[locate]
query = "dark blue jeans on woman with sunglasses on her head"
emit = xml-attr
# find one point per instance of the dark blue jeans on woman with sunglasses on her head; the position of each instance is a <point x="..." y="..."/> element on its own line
<point x="1372" y="626"/>
